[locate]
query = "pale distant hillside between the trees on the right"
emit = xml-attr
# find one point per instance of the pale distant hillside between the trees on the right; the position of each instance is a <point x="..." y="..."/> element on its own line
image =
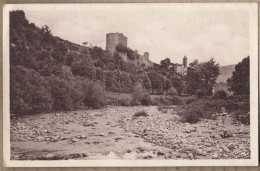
<point x="225" y="73"/>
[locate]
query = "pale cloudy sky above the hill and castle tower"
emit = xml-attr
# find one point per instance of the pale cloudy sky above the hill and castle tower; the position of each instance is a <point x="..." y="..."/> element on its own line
<point x="165" y="31"/>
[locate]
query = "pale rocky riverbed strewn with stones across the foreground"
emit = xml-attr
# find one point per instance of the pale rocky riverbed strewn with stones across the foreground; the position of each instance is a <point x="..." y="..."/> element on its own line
<point x="114" y="133"/>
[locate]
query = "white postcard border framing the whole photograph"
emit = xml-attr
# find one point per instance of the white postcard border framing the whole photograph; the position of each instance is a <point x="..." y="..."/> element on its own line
<point x="253" y="43"/>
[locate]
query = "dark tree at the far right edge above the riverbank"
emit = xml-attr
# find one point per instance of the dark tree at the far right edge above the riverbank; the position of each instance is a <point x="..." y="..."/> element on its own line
<point x="239" y="81"/>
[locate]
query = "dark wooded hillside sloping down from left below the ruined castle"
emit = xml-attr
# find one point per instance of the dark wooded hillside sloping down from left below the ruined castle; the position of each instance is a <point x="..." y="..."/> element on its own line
<point x="48" y="73"/>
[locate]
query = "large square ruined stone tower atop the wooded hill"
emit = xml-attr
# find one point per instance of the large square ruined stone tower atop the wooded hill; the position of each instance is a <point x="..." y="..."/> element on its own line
<point x="113" y="39"/>
